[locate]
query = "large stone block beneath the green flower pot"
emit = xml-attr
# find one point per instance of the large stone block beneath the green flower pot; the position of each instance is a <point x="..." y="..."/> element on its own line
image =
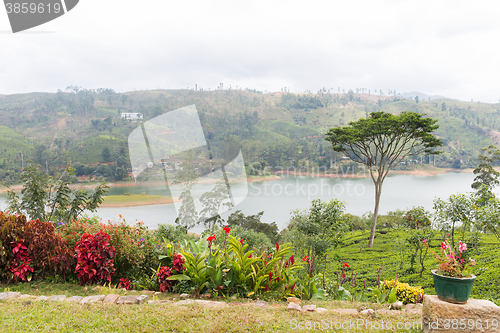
<point x="476" y="315"/>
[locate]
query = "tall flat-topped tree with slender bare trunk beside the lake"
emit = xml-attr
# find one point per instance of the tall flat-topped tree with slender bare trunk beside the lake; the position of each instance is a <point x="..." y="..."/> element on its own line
<point x="381" y="142"/>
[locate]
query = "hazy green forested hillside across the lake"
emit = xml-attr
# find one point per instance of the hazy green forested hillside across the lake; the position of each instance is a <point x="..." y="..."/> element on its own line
<point x="83" y="127"/>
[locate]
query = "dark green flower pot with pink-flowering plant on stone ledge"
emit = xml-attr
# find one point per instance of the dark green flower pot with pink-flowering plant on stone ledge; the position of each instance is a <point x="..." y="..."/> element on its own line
<point x="451" y="281"/>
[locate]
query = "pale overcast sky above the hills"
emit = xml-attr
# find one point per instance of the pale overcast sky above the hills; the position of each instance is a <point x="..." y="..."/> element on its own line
<point x="447" y="48"/>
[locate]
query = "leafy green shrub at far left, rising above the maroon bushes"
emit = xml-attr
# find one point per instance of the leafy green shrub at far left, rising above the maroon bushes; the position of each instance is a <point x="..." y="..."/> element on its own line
<point x="47" y="199"/>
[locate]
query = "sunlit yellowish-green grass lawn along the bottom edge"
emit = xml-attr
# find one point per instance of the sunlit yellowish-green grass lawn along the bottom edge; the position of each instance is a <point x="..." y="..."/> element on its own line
<point x="240" y="316"/>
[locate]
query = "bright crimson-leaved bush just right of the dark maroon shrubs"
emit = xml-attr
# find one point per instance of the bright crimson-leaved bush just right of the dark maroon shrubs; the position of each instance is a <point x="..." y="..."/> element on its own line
<point x="95" y="258"/>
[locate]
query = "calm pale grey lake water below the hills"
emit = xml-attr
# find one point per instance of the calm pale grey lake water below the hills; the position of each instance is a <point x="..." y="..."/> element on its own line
<point x="278" y="198"/>
